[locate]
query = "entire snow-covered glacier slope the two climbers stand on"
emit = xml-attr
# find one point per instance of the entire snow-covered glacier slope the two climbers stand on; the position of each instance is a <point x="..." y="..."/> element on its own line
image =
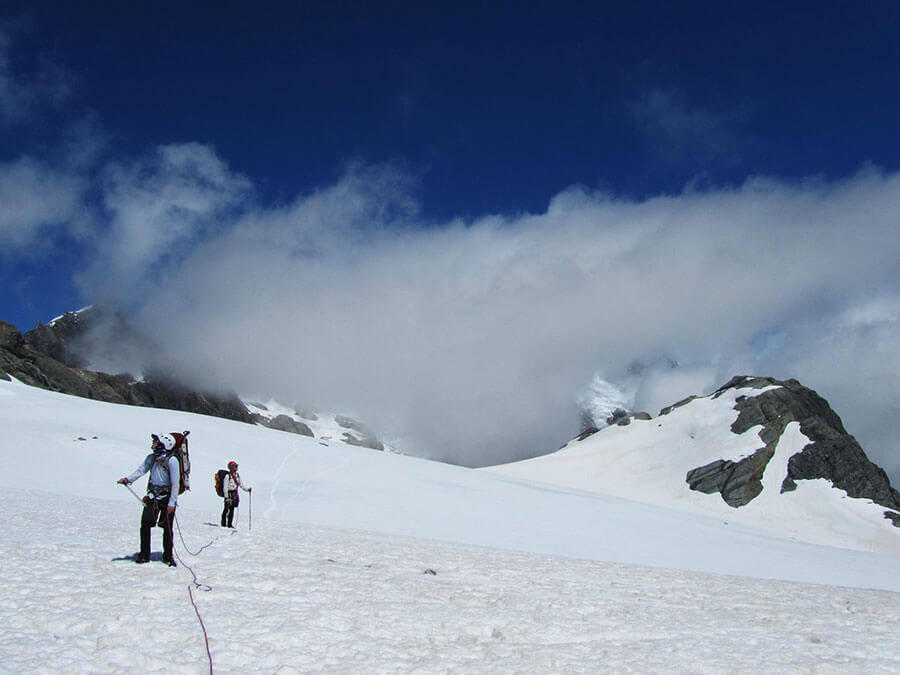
<point x="333" y="575"/>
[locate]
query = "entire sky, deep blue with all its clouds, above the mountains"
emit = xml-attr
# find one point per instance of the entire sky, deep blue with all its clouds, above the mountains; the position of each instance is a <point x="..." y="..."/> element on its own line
<point x="462" y="193"/>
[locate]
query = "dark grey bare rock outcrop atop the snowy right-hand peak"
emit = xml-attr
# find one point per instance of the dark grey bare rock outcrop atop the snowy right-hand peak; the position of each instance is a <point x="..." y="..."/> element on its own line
<point x="832" y="453"/>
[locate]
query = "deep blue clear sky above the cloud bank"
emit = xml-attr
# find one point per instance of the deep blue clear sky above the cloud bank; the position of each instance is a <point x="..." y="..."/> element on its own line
<point x="493" y="108"/>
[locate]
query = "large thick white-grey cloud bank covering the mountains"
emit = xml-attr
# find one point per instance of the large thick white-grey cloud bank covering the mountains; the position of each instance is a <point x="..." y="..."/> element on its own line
<point x="472" y="340"/>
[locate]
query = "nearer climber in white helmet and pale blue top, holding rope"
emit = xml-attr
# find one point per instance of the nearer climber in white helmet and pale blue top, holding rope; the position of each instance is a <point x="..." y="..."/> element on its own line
<point x="162" y="494"/>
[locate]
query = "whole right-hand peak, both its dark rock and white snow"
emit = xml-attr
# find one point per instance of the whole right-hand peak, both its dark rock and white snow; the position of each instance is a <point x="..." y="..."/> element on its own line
<point x="758" y="452"/>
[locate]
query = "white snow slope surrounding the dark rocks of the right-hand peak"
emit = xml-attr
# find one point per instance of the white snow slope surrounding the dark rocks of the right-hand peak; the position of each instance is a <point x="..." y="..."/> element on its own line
<point x="648" y="460"/>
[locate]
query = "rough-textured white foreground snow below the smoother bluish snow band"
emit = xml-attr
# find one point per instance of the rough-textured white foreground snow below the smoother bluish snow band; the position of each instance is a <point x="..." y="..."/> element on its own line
<point x="291" y="598"/>
